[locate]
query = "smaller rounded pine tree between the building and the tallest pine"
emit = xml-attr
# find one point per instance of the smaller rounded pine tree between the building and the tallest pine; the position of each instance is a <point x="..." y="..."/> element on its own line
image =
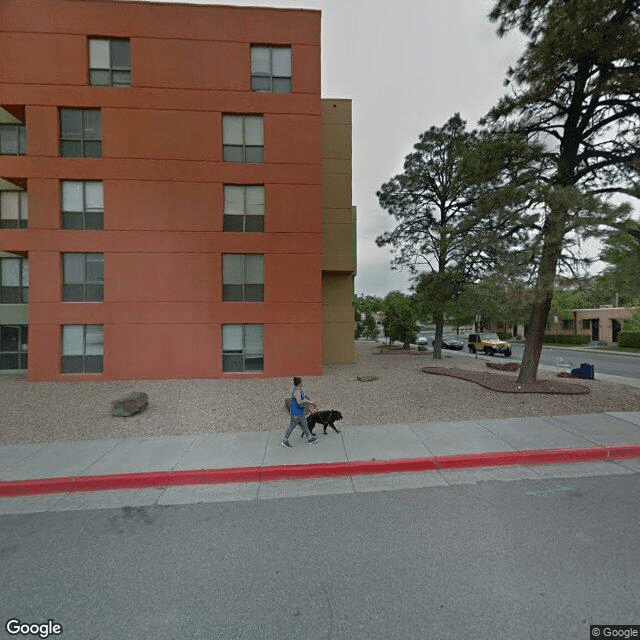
<point x="453" y="218"/>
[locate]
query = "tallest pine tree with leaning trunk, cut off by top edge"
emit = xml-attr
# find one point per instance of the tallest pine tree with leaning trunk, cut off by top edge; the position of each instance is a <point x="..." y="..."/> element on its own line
<point x="576" y="91"/>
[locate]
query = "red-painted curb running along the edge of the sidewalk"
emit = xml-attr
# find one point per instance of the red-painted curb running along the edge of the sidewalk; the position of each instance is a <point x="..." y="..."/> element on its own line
<point x="321" y="470"/>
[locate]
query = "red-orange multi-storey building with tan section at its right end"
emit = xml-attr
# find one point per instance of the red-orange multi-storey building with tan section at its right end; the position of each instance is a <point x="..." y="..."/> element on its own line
<point x="175" y="196"/>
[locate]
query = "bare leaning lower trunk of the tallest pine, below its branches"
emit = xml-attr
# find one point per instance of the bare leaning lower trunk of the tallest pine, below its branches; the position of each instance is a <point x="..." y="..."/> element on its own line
<point x="543" y="294"/>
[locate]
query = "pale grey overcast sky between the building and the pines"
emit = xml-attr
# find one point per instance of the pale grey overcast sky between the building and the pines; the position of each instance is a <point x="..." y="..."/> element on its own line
<point x="407" y="65"/>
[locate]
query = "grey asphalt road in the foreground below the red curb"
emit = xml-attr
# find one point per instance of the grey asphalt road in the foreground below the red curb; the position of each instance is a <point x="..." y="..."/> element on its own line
<point x="497" y="560"/>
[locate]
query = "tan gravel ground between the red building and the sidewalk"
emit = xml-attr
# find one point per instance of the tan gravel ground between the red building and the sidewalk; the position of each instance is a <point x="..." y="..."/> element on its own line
<point x="67" y="411"/>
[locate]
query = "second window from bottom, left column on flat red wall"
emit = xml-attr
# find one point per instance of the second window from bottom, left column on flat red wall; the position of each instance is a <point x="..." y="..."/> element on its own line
<point x="82" y="277"/>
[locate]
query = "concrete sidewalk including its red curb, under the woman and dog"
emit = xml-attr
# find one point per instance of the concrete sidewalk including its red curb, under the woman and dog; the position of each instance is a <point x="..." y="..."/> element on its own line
<point x="258" y="457"/>
